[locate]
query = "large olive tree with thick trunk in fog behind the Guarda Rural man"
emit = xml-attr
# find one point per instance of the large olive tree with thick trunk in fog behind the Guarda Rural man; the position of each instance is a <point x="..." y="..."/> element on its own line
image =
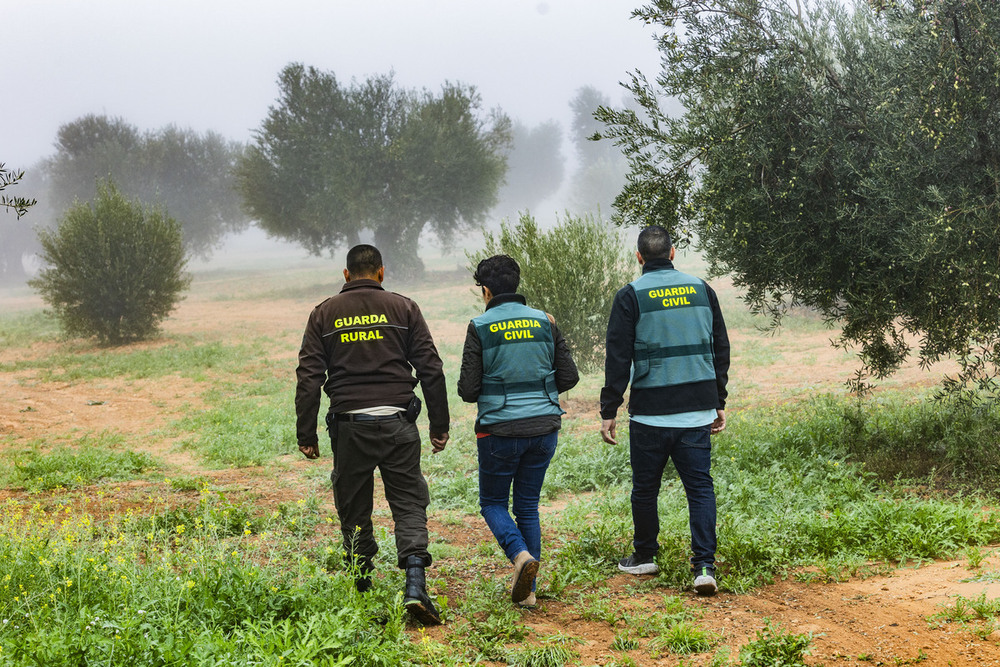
<point x="331" y="161"/>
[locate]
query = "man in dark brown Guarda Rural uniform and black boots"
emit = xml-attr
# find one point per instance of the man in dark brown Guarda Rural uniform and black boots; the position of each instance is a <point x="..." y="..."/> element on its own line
<point x="361" y="347"/>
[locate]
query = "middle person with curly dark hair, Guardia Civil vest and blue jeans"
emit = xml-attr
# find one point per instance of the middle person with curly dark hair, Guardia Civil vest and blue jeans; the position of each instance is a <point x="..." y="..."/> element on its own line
<point x="514" y="366"/>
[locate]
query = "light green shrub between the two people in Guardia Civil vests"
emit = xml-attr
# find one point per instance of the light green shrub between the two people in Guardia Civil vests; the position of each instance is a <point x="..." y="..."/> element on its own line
<point x="572" y="271"/>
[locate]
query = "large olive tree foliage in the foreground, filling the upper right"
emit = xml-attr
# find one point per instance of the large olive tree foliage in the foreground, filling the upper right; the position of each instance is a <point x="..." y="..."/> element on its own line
<point x="841" y="156"/>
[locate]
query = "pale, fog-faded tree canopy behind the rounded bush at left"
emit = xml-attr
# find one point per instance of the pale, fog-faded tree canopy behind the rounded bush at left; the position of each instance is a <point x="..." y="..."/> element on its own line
<point x="189" y="173"/>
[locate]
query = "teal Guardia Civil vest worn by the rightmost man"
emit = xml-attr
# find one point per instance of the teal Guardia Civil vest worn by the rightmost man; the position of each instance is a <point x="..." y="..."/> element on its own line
<point x="673" y="336"/>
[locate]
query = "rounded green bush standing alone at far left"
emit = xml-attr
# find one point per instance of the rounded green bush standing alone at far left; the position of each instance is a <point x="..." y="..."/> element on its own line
<point x="114" y="269"/>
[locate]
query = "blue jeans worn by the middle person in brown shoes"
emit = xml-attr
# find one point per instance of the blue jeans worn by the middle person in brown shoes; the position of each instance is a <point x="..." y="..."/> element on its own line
<point x="520" y="462"/>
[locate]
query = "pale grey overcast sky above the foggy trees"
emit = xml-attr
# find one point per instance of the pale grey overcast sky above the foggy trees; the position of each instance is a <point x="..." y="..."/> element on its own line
<point x="212" y="64"/>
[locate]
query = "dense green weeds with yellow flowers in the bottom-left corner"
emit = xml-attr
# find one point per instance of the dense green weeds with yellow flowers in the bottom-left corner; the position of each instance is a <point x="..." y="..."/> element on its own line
<point x="81" y="591"/>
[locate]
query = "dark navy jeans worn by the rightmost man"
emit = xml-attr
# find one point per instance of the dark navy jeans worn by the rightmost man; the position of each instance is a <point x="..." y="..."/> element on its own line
<point x="691" y="451"/>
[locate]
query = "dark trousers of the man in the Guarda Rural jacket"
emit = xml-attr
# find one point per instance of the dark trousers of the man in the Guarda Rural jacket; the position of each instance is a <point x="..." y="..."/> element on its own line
<point x="392" y="446"/>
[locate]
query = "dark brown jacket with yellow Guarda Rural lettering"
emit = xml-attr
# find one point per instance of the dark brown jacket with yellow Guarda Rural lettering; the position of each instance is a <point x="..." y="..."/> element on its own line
<point x="361" y="347"/>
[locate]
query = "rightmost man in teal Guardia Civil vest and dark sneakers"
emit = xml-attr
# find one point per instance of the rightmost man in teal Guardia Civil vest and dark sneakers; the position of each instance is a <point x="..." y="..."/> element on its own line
<point x="666" y="336"/>
